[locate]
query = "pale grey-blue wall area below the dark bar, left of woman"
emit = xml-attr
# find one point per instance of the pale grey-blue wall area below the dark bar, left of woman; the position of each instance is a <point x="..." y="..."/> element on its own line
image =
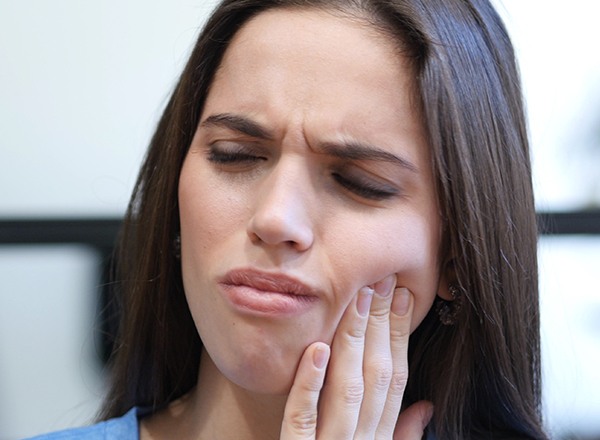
<point x="49" y="374"/>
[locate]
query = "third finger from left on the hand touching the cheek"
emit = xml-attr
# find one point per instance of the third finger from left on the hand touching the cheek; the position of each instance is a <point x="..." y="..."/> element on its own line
<point x="377" y="363"/>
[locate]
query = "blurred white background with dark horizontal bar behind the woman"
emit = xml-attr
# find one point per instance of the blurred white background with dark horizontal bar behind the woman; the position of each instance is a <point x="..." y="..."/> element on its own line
<point x="82" y="85"/>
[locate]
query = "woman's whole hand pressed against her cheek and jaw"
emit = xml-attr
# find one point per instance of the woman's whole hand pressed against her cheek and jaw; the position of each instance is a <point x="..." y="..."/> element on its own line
<point x="367" y="370"/>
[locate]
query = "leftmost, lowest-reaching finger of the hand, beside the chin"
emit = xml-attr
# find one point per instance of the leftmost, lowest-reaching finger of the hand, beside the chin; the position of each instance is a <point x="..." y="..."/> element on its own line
<point x="300" y="414"/>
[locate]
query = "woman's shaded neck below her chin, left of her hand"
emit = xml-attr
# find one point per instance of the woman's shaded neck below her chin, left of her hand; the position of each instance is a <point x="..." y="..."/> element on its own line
<point x="218" y="408"/>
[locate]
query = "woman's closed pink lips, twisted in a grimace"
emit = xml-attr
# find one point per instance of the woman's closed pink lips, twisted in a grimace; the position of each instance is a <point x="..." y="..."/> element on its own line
<point x="257" y="292"/>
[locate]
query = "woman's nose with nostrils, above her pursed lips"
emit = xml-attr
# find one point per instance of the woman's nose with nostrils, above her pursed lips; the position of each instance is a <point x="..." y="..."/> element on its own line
<point x="282" y="212"/>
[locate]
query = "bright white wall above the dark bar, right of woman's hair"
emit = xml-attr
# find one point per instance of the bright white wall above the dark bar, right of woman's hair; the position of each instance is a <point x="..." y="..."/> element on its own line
<point x="557" y="47"/>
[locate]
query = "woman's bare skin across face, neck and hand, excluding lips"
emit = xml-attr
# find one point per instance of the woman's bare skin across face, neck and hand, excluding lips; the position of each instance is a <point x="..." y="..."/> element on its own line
<point x="296" y="88"/>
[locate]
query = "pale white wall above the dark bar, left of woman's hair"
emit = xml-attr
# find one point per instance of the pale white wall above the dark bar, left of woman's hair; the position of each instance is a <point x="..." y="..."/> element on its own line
<point x="81" y="85"/>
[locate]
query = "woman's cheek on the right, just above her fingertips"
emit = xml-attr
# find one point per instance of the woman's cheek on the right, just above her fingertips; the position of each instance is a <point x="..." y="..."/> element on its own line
<point x="376" y="249"/>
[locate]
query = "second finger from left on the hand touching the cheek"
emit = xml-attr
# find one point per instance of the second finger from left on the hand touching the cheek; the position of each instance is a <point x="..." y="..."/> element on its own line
<point x="343" y="392"/>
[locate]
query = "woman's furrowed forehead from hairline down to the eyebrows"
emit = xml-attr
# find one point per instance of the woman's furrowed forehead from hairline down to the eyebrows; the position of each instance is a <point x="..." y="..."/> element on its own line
<point x="321" y="72"/>
